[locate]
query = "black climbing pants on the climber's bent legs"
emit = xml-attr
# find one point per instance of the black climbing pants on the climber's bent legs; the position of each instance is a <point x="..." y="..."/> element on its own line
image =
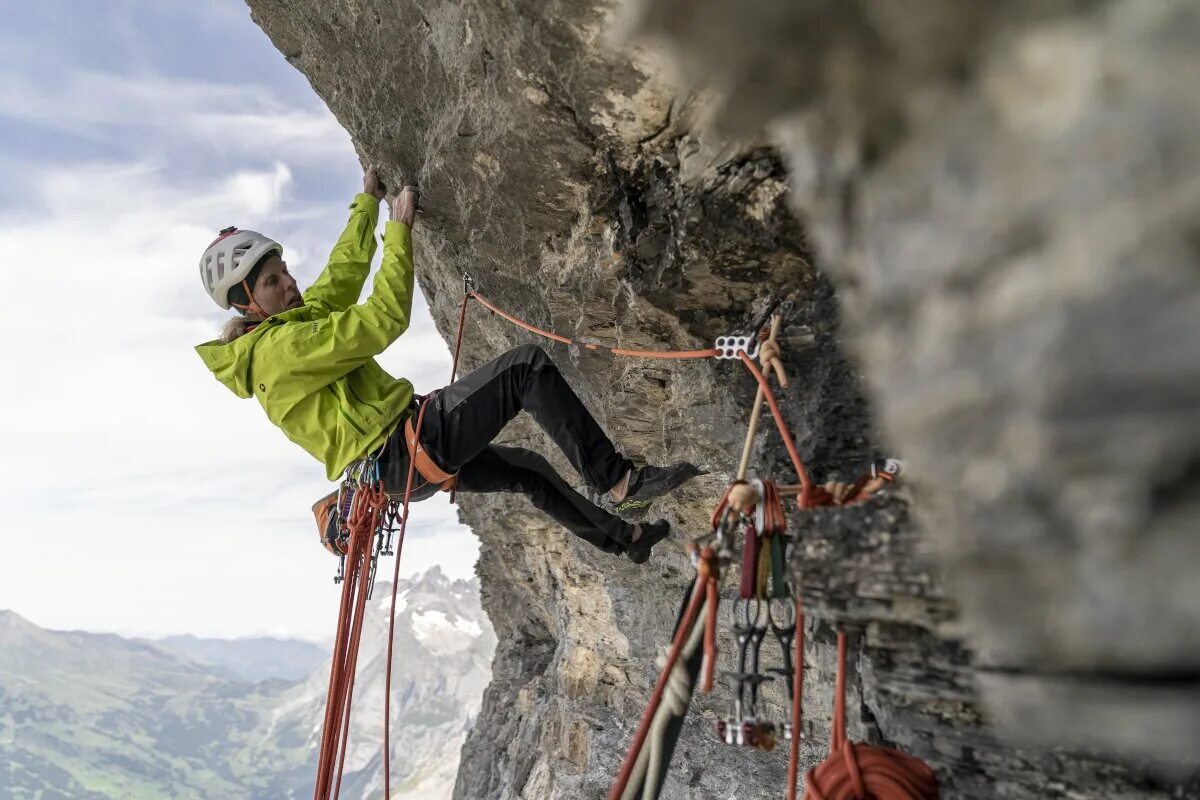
<point x="464" y="418"/>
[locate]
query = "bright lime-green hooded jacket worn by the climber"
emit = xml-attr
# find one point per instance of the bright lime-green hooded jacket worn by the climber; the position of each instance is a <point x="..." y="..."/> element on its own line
<point x="313" y="369"/>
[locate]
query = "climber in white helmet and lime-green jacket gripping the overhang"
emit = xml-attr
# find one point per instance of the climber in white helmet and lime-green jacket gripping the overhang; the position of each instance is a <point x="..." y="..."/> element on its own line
<point x="309" y="359"/>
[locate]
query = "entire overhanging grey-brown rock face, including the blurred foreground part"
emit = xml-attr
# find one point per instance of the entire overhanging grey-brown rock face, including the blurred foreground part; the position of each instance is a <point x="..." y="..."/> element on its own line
<point x="1001" y="196"/>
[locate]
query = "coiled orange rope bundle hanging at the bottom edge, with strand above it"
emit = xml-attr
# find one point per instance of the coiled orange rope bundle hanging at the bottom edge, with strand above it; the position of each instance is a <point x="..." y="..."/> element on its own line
<point x="859" y="772"/>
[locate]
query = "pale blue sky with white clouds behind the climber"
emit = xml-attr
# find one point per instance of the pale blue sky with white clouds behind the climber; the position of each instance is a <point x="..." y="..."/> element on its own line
<point x="140" y="496"/>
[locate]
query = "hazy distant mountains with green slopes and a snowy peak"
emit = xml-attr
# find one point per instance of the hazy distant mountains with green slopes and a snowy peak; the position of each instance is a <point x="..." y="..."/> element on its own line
<point x="97" y="717"/>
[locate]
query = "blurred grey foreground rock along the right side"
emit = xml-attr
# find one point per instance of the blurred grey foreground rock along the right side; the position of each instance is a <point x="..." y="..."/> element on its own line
<point x="1006" y="196"/>
